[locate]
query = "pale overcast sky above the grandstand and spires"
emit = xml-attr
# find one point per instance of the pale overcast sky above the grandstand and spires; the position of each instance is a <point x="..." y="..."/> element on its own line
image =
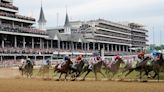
<point x="147" y="12"/>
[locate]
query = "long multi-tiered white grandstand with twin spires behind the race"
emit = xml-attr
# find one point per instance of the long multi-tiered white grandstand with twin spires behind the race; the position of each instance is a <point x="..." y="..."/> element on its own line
<point x="18" y="39"/>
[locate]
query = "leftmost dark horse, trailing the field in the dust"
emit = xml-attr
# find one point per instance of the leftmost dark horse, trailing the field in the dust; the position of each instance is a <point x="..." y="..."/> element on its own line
<point x="27" y="69"/>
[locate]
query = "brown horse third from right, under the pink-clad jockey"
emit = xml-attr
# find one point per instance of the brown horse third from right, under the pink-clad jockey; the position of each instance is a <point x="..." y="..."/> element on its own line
<point x="114" y="66"/>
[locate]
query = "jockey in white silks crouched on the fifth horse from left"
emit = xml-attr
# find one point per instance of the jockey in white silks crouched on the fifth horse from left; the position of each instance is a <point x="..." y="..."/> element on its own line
<point x="94" y="60"/>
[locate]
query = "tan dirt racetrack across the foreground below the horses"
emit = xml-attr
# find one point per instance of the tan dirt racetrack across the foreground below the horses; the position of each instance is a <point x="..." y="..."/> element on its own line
<point x="18" y="84"/>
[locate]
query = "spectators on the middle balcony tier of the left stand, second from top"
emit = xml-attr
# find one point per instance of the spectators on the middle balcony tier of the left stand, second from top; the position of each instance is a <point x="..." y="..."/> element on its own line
<point x="16" y="16"/>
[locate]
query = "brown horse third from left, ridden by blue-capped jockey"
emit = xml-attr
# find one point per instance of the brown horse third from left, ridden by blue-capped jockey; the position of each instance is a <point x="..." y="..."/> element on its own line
<point x="64" y="69"/>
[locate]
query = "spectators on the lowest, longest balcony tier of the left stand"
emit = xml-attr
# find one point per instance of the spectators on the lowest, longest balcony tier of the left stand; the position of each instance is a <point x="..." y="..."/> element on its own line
<point x="10" y="28"/>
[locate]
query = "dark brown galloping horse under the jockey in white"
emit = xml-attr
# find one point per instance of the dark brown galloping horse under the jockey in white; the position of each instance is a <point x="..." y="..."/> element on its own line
<point x="96" y="68"/>
